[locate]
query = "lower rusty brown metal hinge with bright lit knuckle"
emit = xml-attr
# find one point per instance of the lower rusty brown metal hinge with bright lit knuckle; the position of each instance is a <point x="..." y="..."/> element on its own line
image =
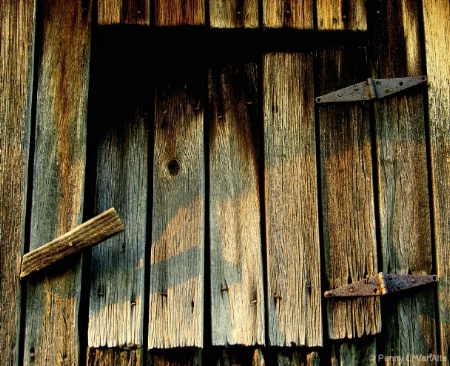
<point x="381" y="284"/>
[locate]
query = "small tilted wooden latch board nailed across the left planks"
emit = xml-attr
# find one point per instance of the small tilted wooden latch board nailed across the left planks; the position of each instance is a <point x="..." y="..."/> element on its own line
<point x="91" y="232"/>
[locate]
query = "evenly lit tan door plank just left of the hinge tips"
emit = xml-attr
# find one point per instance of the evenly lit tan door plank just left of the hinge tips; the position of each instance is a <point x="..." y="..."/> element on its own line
<point x="291" y="195"/>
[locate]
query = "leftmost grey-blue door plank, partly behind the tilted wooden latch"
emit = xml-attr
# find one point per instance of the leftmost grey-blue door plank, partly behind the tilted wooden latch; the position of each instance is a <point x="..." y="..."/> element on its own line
<point x="121" y="108"/>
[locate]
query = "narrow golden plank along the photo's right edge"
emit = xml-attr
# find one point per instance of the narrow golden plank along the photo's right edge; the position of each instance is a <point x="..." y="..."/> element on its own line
<point x="436" y="15"/>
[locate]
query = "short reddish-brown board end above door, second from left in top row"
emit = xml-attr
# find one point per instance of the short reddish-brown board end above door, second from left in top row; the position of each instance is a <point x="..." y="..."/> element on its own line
<point x="179" y="12"/>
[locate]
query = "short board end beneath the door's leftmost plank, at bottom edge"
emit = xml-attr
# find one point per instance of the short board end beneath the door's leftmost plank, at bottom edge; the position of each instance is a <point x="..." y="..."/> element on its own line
<point x="115" y="356"/>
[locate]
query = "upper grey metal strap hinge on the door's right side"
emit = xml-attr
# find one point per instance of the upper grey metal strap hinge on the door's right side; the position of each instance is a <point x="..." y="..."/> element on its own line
<point x="371" y="89"/>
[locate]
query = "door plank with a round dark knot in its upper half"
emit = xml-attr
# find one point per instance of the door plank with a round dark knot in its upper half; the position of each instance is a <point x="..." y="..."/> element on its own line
<point x="178" y="218"/>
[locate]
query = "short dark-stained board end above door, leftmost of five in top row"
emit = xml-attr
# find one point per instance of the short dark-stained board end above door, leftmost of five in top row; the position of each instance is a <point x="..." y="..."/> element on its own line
<point x="136" y="12"/>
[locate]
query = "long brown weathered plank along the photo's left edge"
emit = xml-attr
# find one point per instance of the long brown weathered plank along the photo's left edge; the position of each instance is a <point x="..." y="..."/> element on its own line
<point x="17" y="21"/>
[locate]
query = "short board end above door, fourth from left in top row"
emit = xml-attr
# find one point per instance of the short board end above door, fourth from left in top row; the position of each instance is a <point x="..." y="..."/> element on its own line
<point x="297" y="14"/>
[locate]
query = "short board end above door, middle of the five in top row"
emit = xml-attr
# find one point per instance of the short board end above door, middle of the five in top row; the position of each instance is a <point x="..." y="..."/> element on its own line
<point x="233" y="13"/>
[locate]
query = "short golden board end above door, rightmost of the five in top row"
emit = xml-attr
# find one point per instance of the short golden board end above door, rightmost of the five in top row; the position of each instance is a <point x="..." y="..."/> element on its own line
<point x="341" y="15"/>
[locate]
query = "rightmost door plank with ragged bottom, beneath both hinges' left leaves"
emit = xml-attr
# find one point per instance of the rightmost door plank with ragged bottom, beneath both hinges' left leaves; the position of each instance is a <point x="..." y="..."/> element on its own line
<point x="347" y="194"/>
